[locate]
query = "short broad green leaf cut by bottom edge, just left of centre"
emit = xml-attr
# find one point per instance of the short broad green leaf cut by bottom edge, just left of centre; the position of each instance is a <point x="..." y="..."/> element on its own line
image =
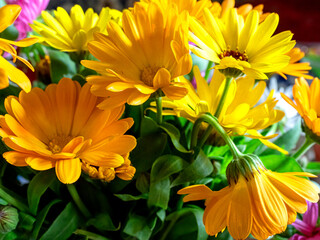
<point x="137" y="226"/>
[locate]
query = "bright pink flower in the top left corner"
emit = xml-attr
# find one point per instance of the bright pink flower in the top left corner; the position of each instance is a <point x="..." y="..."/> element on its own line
<point x="31" y="9"/>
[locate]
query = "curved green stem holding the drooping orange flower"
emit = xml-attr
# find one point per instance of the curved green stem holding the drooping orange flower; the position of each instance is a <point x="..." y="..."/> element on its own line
<point x="213" y="121"/>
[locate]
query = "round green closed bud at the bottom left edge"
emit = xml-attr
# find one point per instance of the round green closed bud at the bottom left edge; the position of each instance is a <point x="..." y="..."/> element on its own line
<point x="9" y="219"/>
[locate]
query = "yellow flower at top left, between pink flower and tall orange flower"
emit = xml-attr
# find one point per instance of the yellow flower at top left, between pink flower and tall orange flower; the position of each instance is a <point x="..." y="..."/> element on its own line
<point x="72" y="33"/>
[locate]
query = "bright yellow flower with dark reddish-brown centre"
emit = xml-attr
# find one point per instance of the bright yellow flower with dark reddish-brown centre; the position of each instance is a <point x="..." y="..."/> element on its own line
<point x="239" y="46"/>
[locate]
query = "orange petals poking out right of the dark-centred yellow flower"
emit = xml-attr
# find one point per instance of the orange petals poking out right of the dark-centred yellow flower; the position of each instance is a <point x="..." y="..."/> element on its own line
<point x="294" y="68"/>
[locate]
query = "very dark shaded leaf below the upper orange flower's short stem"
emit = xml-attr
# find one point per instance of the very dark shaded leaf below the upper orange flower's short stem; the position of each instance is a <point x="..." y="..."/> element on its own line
<point x="148" y="149"/>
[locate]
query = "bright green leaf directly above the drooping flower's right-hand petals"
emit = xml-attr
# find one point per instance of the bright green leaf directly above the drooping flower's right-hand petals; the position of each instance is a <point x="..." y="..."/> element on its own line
<point x="281" y="163"/>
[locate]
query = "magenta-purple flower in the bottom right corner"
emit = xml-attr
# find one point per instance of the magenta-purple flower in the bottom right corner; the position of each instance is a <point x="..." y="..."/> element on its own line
<point x="307" y="226"/>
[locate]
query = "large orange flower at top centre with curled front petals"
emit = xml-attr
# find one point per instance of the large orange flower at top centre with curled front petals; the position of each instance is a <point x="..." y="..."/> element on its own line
<point x="147" y="55"/>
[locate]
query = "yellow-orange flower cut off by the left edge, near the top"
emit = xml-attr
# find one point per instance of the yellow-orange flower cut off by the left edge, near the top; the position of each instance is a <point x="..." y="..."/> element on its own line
<point x="8" y="14"/>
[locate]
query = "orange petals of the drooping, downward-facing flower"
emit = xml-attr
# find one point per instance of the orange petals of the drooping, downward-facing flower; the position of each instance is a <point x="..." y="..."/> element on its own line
<point x="263" y="204"/>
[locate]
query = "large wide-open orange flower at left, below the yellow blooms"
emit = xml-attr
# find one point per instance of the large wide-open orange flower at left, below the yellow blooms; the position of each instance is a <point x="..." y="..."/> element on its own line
<point x="62" y="128"/>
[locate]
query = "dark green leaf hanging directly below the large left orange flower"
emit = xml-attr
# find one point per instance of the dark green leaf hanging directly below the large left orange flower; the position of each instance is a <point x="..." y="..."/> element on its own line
<point x="38" y="185"/>
